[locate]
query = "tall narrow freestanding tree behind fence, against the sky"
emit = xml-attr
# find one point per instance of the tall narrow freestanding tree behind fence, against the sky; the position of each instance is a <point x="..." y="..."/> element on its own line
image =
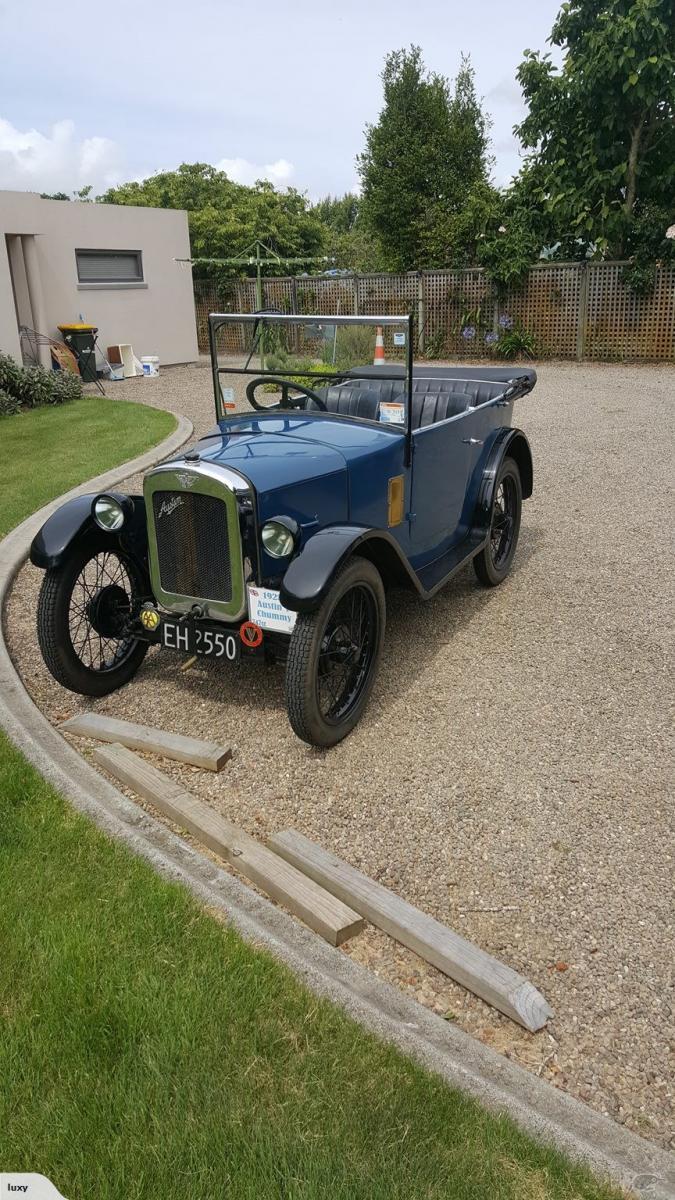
<point x="425" y="157"/>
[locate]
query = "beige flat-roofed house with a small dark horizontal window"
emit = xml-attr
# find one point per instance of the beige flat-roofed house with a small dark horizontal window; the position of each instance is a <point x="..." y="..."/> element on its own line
<point x="110" y="263"/>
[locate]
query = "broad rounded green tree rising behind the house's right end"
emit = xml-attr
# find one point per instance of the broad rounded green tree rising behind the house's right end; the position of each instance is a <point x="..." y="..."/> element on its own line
<point x="226" y="218"/>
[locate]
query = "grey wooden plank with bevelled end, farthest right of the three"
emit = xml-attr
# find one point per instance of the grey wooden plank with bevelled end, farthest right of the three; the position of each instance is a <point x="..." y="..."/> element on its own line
<point x="452" y="955"/>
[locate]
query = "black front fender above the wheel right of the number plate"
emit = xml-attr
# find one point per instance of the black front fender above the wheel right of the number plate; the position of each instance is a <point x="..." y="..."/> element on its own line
<point x="310" y="575"/>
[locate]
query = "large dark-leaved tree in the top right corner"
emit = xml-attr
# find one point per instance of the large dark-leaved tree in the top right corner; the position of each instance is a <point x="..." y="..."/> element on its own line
<point x="601" y="131"/>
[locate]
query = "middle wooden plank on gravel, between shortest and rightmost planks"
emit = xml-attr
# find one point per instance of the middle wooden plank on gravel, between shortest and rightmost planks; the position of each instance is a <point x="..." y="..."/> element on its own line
<point x="304" y="898"/>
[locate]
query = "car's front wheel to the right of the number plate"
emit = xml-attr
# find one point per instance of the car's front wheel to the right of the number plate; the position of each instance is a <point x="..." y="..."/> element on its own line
<point x="319" y="652"/>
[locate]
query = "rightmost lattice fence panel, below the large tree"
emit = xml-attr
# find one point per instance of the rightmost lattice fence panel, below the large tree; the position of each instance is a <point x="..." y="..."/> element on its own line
<point x="624" y="326"/>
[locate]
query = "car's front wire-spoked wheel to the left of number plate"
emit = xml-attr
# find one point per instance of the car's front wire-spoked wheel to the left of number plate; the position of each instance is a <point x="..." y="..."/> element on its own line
<point x="67" y="615"/>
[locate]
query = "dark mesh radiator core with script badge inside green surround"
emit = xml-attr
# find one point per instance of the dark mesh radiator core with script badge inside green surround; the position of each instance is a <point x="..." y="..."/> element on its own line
<point x="193" y="545"/>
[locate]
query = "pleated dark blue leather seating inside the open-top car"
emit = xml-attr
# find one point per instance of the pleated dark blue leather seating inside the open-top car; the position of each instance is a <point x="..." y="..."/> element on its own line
<point x="433" y="400"/>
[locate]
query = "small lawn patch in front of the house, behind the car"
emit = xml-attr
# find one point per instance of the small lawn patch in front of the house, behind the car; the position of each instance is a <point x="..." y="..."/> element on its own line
<point x="47" y="451"/>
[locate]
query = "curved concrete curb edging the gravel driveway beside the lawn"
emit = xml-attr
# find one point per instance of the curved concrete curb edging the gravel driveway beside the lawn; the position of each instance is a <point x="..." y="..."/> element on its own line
<point x="545" y="1112"/>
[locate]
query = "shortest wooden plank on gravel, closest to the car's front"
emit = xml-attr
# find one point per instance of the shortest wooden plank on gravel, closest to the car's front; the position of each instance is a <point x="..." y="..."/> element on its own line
<point x="142" y="737"/>
